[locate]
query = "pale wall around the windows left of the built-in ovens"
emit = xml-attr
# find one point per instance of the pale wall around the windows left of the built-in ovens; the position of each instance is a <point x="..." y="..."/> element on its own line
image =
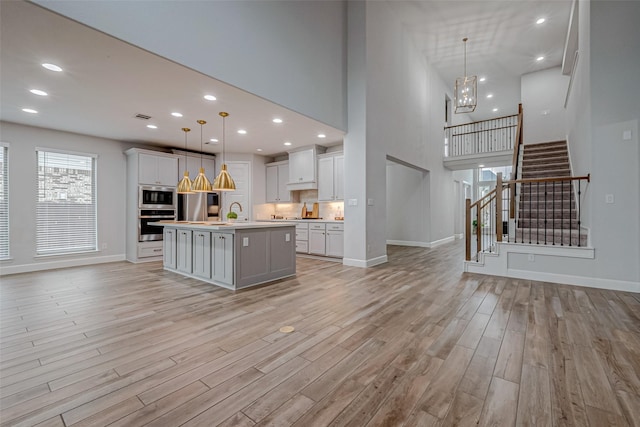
<point x="111" y="181"/>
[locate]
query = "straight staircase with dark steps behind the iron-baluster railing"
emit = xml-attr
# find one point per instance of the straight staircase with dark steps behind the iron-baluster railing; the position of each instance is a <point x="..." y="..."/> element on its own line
<point x="547" y="211"/>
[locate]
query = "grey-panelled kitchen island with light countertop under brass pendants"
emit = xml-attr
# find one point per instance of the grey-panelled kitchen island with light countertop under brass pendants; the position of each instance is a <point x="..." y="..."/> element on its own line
<point x="232" y="255"/>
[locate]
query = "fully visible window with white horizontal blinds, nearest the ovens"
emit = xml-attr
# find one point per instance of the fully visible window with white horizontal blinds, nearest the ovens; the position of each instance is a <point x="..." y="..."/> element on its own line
<point x="66" y="204"/>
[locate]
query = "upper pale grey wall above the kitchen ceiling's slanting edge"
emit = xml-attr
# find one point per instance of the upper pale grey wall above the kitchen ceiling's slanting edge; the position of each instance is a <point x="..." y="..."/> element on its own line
<point x="289" y="52"/>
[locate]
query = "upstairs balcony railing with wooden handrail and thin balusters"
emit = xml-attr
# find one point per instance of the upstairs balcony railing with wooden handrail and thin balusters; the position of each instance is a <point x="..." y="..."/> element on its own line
<point x="484" y="137"/>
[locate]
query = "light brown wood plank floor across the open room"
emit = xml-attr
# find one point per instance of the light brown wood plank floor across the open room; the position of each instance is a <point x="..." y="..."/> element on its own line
<point x="413" y="342"/>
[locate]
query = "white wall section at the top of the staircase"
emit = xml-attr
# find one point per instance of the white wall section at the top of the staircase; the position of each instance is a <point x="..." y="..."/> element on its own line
<point x="543" y="95"/>
